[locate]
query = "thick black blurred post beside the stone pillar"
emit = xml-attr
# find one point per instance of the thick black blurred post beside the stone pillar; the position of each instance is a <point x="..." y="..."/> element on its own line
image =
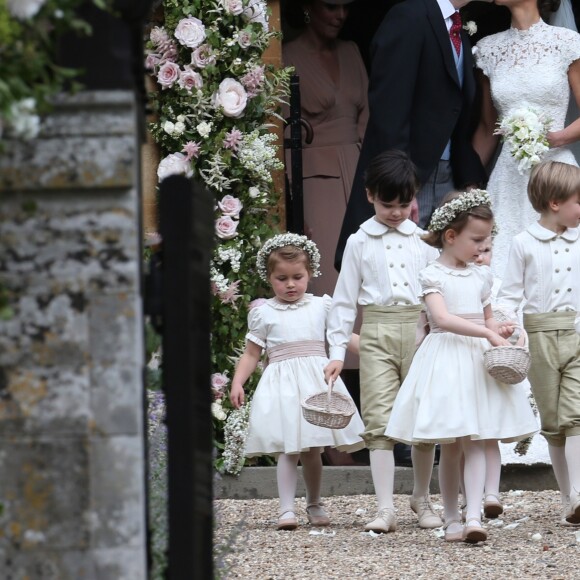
<point x="186" y="219"/>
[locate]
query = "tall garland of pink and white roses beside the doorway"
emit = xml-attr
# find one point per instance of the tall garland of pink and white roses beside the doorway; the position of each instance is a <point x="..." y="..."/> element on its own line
<point x="215" y="102"/>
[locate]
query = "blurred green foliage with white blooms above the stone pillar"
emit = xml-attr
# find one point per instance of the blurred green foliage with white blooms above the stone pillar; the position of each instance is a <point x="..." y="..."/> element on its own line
<point x="29" y="77"/>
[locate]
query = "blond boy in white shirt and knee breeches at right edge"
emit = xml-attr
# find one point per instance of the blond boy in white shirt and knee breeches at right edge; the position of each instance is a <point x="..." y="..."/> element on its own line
<point x="543" y="270"/>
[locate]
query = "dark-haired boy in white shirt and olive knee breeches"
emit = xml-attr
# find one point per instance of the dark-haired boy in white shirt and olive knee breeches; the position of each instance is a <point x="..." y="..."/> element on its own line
<point x="379" y="272"/>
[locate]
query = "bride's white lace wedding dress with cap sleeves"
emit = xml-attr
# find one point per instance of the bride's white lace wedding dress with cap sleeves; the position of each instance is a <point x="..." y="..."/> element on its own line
<point x="524" y="66"/>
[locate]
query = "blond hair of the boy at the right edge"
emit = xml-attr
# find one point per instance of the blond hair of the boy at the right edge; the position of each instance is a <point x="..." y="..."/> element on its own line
<point x="552" y="181"/>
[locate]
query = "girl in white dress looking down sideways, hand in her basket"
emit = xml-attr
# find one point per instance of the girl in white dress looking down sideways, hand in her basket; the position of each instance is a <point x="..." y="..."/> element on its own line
<point x="448" y="397"/>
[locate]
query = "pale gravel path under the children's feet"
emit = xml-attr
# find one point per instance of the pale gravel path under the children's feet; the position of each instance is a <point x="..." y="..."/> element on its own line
<point x="527" y="542"/>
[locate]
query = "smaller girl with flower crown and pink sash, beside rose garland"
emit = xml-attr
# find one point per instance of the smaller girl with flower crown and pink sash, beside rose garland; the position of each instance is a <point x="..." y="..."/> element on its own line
<point x="291" y="327"/>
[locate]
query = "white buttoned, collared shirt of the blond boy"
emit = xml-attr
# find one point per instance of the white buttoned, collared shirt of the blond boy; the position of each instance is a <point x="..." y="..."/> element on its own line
<point x="543" y="269"/>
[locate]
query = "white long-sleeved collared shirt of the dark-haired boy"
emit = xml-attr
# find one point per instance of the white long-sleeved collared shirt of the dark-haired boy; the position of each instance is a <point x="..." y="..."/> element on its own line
<point x="380" y="266"/>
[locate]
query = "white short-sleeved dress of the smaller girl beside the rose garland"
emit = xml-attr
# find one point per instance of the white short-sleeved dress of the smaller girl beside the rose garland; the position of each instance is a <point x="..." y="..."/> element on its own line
<point x="276" y="421"/>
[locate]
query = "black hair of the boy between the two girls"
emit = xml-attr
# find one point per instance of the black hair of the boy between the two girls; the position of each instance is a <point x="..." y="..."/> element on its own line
<point x="392" y="175"/>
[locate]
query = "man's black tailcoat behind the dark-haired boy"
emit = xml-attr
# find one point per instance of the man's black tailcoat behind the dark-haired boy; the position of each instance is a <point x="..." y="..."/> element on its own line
<point x="416" y="103"/>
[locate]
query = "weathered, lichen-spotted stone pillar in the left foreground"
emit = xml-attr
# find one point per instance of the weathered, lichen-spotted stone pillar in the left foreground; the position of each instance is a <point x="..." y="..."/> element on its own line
<point x="71" y="352"/>
